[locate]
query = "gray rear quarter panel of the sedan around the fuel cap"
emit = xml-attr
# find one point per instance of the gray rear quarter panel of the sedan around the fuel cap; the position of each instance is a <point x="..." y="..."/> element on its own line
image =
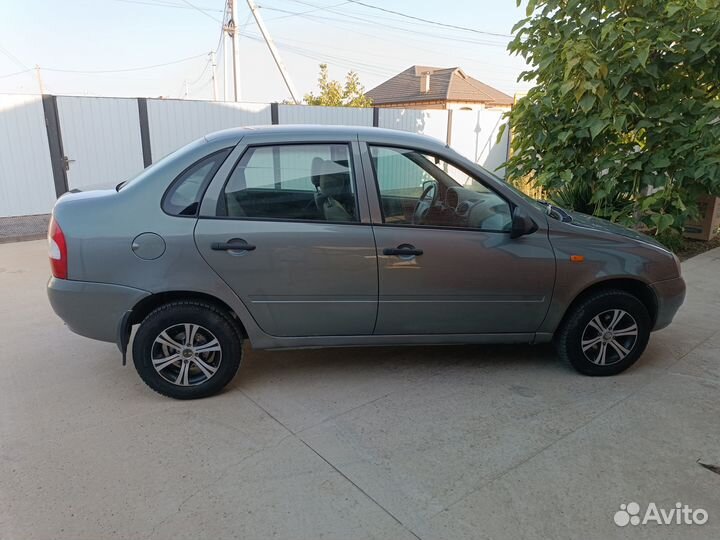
<point x="100" y="228"/>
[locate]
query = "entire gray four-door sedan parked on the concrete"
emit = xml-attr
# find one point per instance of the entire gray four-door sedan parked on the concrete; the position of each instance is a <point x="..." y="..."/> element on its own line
<point x="312" y="236"/>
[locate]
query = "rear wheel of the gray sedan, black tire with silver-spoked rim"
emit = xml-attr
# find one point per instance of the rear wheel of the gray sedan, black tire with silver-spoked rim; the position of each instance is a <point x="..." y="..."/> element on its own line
<point x="210" y="322"/>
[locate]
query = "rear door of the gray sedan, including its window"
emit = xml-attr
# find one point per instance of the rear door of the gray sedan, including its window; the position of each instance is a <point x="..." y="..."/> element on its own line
<point x="298" y="273"/>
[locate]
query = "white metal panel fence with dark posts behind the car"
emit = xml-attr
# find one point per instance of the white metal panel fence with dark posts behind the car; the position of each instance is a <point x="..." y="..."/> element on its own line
<point x="49" y="144"/>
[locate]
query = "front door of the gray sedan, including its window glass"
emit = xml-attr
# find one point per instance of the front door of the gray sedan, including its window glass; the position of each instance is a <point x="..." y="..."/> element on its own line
<point x="446" y="262"/>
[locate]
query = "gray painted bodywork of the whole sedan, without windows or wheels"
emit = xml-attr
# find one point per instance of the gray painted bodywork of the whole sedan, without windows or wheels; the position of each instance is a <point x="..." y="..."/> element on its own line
<point x="302" y="290"/>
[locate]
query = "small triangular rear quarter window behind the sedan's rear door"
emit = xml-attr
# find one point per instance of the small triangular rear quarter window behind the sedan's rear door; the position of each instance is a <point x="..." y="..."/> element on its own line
<point x="183" y="197"/>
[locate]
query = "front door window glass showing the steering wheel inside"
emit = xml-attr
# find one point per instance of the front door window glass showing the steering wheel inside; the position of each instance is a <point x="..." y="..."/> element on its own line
<point x="419" y="189"/>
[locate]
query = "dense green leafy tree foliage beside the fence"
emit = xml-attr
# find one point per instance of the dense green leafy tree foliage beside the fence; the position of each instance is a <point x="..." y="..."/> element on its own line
<point x="624" y="118"/>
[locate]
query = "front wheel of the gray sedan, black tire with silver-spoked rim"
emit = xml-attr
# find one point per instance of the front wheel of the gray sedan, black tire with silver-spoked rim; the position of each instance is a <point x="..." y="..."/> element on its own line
<point x="601" y="307"/>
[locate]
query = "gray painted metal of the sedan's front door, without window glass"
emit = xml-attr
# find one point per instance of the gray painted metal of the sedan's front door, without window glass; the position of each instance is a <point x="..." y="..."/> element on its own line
<point x="467" y="281"/>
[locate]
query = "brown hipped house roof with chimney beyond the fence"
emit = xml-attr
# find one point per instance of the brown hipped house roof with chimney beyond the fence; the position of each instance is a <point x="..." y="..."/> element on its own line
<point x="446" y="84"/>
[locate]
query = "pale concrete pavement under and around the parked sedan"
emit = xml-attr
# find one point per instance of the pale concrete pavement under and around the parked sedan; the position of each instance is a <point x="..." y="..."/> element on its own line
<point x="390" y="443"/>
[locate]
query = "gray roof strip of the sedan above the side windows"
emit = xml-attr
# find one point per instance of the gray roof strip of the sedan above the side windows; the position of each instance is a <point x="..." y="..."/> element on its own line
<point x="383" y="134"/>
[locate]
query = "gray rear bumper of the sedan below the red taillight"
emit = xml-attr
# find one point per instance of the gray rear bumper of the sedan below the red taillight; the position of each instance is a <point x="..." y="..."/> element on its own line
<point x="93" y="310"/>
